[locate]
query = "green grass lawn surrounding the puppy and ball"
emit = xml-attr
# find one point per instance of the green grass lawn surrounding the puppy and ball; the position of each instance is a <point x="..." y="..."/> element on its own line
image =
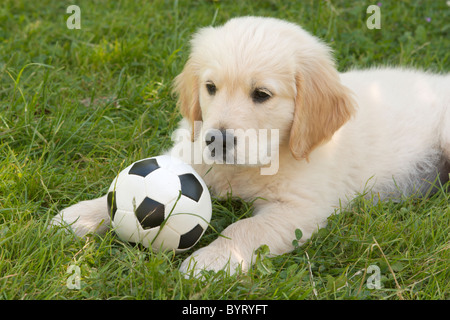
<point x="76" y="105"/>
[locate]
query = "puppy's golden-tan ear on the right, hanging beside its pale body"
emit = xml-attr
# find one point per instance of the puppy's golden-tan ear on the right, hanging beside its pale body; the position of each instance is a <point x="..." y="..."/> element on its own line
<point x="322" y="104"/>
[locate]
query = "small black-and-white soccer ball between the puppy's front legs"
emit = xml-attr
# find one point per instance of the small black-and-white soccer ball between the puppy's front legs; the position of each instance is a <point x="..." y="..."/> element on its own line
<point x="161" y="203"/>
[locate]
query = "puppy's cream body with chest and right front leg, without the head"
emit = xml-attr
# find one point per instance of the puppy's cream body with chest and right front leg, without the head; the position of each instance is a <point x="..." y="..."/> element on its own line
<point x="393" y="147"/>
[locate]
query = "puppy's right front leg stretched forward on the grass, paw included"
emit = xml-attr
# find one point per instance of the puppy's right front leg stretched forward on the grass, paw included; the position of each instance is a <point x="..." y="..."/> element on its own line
<point x="273" y="225"/>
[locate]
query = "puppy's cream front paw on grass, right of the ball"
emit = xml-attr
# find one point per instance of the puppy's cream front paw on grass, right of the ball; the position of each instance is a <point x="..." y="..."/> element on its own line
<point x="215" y="259"/>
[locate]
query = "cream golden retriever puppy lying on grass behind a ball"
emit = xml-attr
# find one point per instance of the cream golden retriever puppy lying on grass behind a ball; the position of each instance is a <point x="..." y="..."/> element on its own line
<point x="331" y="135"/>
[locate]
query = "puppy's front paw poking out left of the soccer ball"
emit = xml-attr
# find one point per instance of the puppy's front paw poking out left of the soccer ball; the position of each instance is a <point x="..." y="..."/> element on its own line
<point x="90" y="216"/>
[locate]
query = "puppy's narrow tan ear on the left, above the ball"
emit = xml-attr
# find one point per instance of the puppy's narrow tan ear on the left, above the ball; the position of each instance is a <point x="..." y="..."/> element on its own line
<point x="186" y="86"/>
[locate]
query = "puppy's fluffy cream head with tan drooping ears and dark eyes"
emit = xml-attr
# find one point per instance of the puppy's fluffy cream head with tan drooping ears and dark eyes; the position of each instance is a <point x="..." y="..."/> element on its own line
<point x="263" y="73"/>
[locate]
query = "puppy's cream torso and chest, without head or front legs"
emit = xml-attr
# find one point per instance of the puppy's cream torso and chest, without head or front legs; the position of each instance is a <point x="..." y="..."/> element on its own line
<point x="394" y="145"/>
